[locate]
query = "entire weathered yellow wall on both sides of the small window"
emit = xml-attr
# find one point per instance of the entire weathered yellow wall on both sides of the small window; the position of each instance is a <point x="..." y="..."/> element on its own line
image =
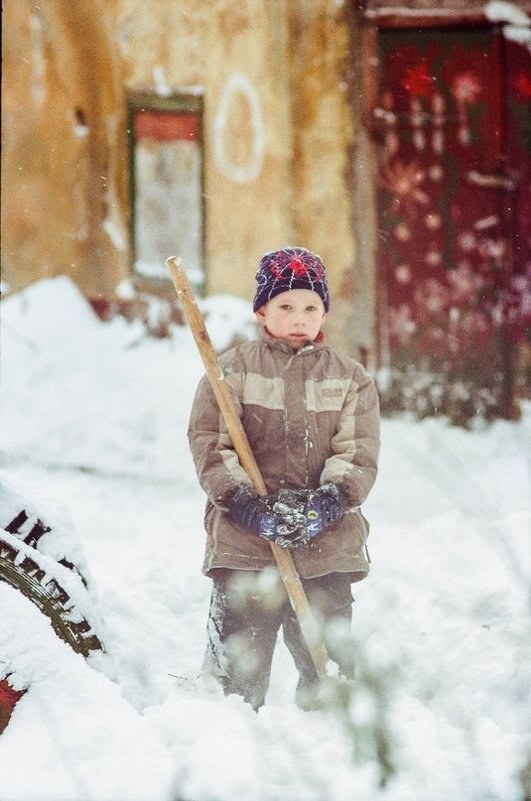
<point x="277" y="131"/>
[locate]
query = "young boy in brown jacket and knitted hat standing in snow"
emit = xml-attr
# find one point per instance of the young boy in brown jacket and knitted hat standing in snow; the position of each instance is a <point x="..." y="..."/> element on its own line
<point x="312" y="419"/>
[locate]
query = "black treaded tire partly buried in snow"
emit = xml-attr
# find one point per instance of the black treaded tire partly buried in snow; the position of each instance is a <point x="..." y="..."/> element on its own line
<point x="25" y="571"/>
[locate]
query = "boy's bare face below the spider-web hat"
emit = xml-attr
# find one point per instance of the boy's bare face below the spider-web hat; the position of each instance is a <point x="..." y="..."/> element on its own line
<point x="295" y="316"/>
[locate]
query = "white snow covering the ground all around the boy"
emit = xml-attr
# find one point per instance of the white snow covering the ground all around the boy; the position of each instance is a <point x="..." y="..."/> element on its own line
<point x="93" y="430"/>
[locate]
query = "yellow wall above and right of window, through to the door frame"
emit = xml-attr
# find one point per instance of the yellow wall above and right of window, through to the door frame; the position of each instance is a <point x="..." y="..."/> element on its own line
<point x="271" y="73"/>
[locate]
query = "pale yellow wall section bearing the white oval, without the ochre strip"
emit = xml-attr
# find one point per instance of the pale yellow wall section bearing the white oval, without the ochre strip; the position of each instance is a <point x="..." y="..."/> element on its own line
<point x="234" y="52"/>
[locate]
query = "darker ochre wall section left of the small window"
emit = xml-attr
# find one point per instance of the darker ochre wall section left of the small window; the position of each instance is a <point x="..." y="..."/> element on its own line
<point x="63" y="185"/>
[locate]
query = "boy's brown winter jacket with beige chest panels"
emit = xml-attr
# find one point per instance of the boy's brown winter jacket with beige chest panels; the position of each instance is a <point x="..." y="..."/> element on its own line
<point x="311" y="417"/>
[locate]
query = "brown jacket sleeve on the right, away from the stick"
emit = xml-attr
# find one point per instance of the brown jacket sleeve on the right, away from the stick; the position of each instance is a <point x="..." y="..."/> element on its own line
<point x="355" y="446"/>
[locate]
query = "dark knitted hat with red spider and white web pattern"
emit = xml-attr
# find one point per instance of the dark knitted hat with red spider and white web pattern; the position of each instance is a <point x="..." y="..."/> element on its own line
<point x="290" y="268"/>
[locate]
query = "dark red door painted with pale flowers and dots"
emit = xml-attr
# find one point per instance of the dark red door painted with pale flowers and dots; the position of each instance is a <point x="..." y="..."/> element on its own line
<point x="454" y="217"/>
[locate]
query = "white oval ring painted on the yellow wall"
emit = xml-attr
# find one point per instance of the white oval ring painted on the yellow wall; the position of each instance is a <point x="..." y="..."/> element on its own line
<point x="239" y="173"/>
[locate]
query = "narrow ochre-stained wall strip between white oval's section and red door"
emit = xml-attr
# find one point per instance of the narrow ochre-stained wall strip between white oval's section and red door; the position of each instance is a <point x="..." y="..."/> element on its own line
<point x="323" y="137"/>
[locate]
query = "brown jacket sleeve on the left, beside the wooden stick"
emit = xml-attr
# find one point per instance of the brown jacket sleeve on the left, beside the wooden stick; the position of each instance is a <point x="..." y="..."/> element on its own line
<point x="217" y="465"/>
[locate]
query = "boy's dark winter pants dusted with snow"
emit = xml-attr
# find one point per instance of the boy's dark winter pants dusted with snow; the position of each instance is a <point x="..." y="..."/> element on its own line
<point x="247" y="610"/>
